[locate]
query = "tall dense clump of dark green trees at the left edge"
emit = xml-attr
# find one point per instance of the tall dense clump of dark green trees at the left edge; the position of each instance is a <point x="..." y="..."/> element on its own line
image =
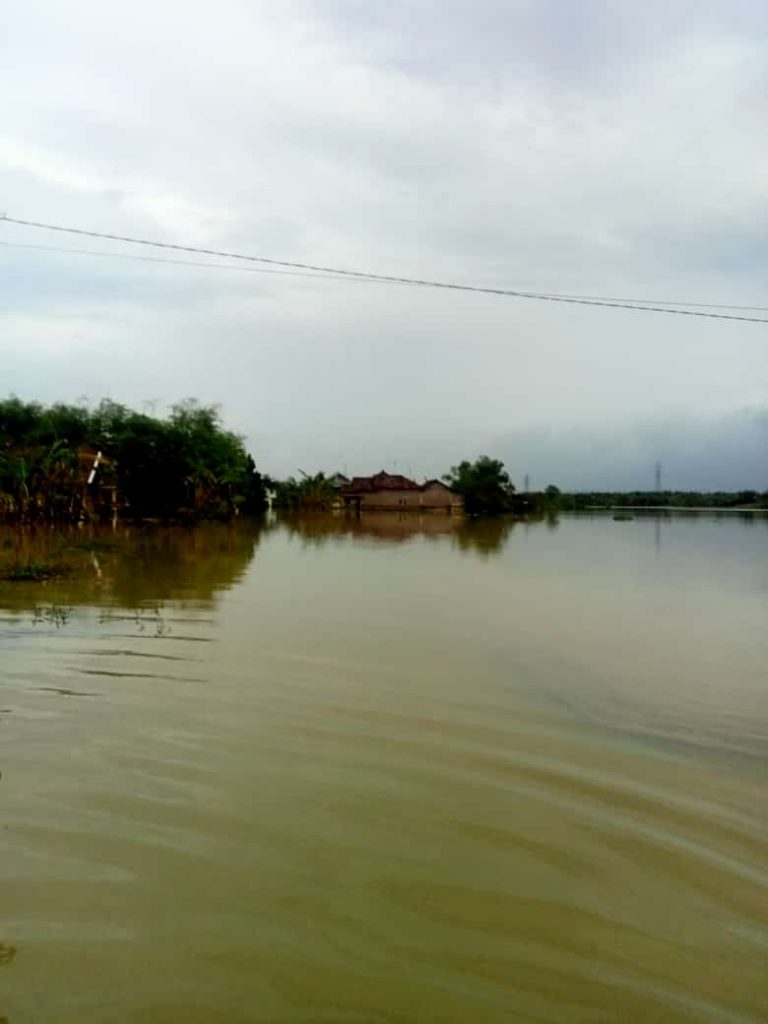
<point x="185" y="466"/>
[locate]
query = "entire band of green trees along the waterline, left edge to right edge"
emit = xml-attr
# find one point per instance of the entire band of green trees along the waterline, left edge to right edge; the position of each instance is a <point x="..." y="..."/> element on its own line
<point x="67" y="464"/>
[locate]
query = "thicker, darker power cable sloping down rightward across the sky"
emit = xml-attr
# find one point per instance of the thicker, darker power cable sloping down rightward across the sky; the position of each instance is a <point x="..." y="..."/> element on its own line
<point x="390" y="279"/>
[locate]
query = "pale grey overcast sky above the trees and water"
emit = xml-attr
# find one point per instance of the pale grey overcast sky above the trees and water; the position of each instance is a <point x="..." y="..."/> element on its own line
<point x="584" y="148"/>
